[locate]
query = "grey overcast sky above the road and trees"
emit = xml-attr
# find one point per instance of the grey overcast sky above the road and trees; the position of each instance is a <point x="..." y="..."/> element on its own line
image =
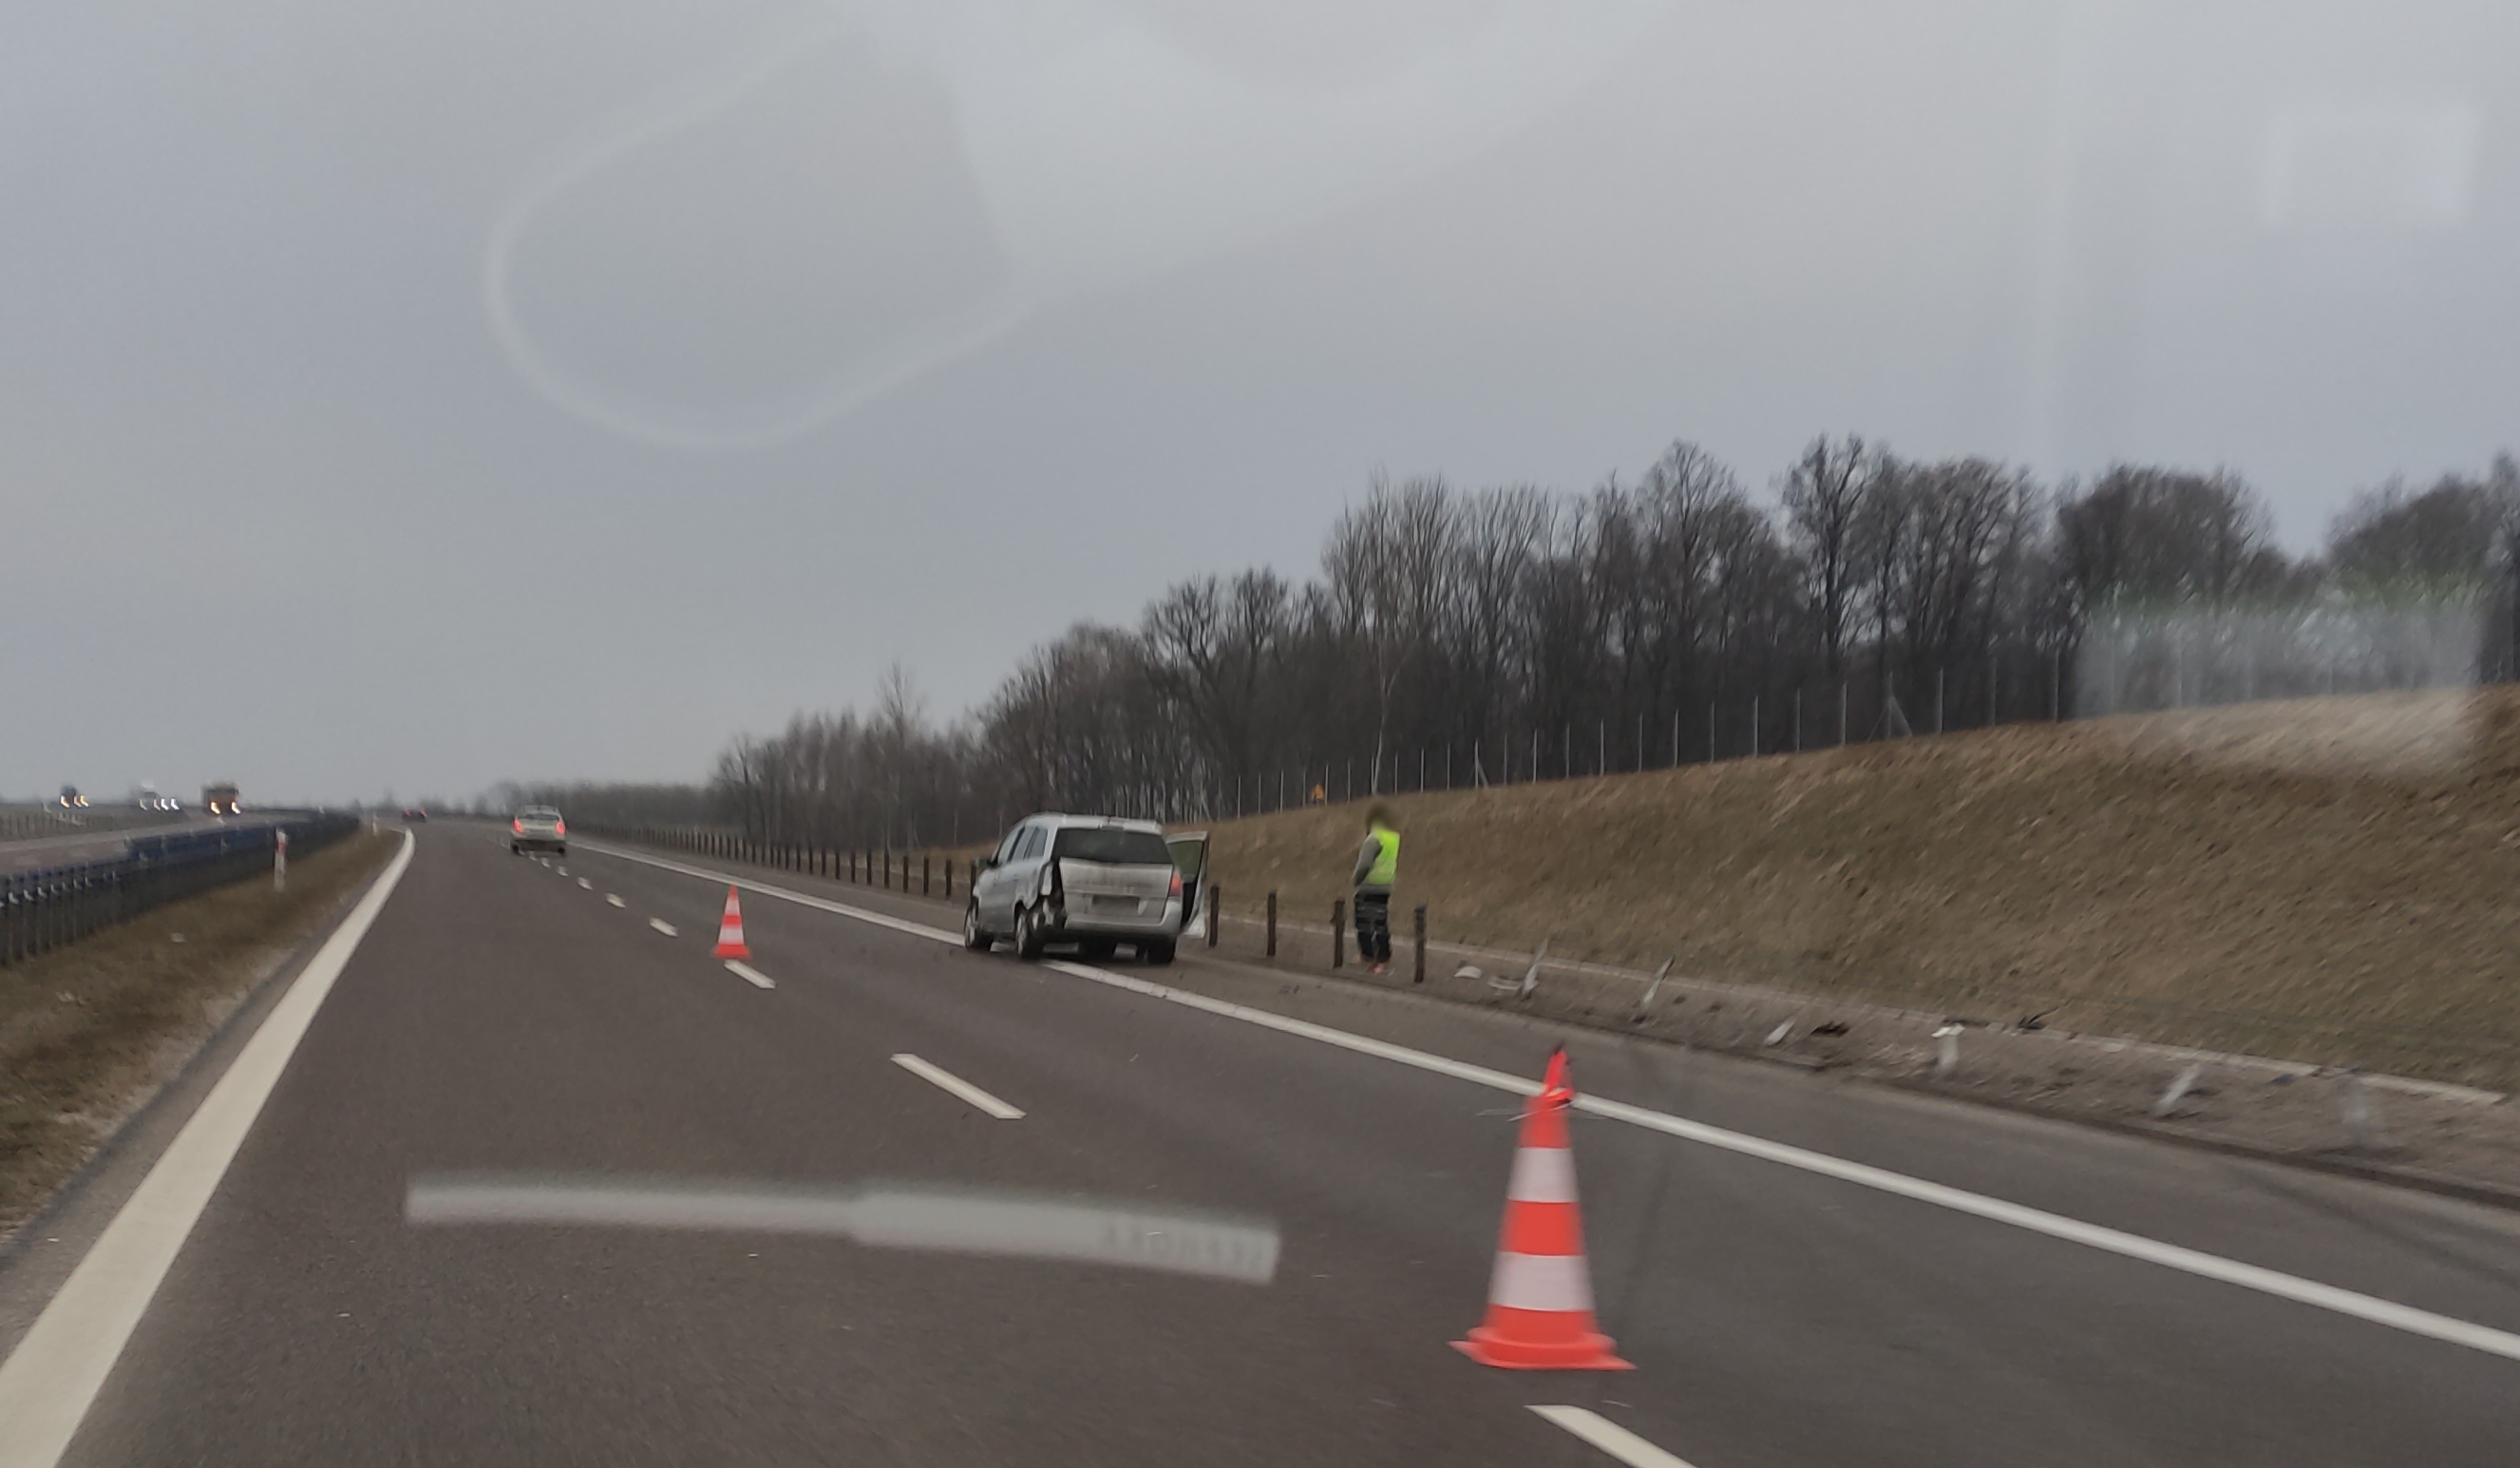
<point x="430" y="395"/>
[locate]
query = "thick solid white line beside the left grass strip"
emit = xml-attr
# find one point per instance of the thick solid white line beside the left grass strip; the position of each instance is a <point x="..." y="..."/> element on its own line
<point x="57" y="1371"/>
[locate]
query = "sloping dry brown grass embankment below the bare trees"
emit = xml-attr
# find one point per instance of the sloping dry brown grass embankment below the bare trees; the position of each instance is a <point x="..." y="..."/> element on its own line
<point x="2332" y="879"/>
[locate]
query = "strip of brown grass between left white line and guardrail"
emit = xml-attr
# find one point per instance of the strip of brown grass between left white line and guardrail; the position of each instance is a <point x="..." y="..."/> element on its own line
<point x="92" y="1030"/>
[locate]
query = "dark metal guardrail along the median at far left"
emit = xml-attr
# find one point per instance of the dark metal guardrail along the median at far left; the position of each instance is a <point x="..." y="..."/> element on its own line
<point x="54" y="907"/>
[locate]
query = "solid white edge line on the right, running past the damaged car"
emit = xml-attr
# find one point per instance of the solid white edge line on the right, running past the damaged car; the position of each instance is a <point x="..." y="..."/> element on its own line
<point x="1861" y="1174"/>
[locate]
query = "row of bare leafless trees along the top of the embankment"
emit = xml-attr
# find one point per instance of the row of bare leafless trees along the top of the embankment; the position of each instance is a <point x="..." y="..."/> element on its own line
<point x="1521" y="634"/>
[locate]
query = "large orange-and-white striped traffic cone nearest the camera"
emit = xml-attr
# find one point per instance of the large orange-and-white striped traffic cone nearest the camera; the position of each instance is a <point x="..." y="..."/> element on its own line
<point x="1541" y="1298"/>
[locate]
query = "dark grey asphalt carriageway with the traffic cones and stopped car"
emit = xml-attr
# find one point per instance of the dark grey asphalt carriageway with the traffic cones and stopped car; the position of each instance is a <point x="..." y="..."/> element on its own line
<point x="508" y="1018"/>
